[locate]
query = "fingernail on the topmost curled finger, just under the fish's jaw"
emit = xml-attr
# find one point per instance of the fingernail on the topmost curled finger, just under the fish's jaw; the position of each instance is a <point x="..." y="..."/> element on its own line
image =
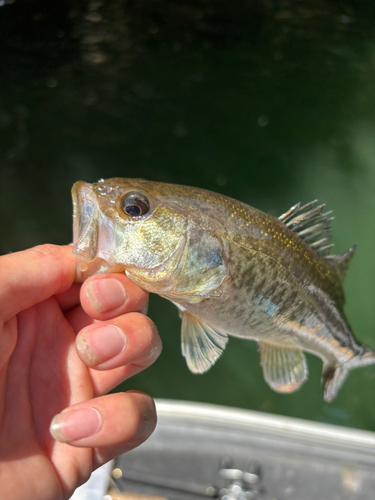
<point x="105" y="294"/>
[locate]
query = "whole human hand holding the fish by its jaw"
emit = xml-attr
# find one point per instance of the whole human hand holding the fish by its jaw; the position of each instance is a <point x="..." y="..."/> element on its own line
<point x="62" y="347"/>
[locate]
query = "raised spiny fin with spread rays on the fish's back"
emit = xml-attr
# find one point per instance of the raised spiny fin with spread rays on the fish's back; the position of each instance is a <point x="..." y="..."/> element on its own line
<point x="311" y="224"/>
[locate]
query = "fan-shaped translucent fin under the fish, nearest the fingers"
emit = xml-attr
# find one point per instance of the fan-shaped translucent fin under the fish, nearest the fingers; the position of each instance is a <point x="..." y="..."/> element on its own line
<point x="201" y="344"/>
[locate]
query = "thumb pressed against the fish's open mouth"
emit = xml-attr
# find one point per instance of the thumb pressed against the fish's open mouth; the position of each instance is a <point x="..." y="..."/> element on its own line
<point x="34" y="275"/>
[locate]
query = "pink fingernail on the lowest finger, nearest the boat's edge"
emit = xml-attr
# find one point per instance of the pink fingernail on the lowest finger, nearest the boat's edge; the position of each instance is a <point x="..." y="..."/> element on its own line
<point x="71" y="425"/>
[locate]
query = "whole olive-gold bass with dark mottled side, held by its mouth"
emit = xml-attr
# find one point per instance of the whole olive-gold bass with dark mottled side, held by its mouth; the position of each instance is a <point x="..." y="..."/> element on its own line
<point x="231" y="270"/>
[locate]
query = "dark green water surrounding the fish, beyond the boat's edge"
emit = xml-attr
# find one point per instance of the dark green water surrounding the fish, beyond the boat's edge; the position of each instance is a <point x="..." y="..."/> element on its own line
<point x="268" y="102"/>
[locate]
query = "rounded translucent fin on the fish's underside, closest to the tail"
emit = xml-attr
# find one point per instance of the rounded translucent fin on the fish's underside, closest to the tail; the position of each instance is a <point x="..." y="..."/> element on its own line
<point x="284" y="369"/>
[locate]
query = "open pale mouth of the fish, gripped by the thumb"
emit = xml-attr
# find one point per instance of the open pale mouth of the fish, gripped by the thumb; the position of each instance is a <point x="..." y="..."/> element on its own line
<point x="86" y="232"/>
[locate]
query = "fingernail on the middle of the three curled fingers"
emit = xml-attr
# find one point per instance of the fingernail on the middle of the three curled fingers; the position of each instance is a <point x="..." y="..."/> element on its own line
<point x="100" y="344"/>
